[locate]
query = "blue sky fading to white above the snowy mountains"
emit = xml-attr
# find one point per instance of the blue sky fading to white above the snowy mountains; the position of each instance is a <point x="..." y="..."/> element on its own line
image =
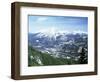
<point x="60" y="23"/>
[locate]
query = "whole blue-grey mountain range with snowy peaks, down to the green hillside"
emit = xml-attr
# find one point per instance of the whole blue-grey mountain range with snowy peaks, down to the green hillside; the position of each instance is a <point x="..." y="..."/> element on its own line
<point x="58" y="43"/>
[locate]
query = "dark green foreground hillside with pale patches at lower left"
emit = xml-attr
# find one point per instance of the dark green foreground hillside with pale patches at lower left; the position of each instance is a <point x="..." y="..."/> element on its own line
<point x="37" y="58"/>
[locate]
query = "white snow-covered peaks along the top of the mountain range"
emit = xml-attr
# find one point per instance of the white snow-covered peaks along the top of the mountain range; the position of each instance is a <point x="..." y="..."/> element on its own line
<point x="54" y="33"/>
